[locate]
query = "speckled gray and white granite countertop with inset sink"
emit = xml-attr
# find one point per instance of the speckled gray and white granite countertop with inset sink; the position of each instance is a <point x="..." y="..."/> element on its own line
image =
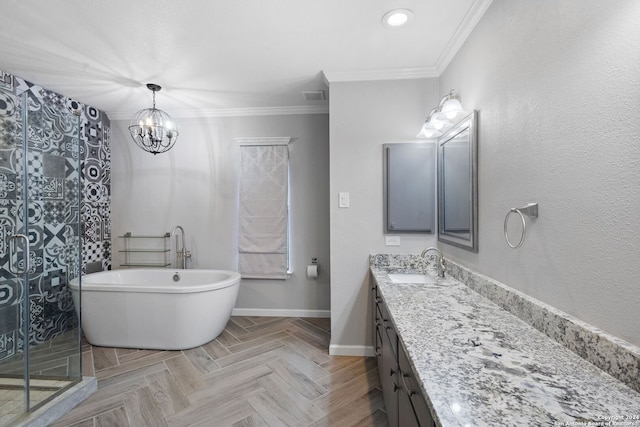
<point x="479" y="365"/>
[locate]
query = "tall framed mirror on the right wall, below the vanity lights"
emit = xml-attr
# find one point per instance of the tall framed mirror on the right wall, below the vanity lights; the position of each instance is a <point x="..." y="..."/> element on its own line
<point x="458" y="184"/>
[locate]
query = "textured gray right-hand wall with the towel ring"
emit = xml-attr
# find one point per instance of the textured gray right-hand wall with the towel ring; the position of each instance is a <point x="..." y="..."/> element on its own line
<point x="557" y="87"/>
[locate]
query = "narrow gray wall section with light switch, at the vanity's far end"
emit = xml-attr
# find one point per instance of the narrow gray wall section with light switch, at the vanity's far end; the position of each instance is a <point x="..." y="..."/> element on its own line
<point x="363" y="116"/>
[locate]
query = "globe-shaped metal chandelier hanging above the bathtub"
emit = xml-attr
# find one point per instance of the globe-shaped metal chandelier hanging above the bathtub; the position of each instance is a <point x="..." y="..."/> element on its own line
<point x="153" y="130"/>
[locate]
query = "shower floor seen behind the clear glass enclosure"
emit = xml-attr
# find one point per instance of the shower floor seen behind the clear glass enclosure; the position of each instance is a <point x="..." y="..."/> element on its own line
<point x="52" y="364"/>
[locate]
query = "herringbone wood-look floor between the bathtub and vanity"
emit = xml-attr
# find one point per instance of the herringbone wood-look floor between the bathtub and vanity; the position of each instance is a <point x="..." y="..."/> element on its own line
<point x="261" y="371"/>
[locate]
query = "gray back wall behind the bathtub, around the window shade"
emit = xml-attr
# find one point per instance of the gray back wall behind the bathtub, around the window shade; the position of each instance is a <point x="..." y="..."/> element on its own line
<point x="195" y="185"/>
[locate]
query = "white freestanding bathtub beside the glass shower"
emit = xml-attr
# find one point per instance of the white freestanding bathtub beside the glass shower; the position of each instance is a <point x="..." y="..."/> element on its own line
<point x="155" y="308"/>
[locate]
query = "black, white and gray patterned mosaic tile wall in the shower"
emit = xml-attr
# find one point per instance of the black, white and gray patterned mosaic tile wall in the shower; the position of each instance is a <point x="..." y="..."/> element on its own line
<point x="60" y="149"/>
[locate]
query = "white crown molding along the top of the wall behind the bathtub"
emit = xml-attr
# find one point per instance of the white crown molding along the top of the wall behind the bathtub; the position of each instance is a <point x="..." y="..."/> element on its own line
<point x="233" y="112"/>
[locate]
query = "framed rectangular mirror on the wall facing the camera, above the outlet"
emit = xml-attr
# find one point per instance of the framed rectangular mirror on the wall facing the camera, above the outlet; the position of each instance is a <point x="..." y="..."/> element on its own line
<point x="409" y="187"/>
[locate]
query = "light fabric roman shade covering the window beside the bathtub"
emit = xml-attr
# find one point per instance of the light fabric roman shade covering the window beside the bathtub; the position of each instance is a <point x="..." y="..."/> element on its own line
<point x="262" y="238"/>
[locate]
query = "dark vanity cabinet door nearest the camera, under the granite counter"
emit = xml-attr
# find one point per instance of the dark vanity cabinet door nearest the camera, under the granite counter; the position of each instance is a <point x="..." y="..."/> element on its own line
<point x="412" y="408"/>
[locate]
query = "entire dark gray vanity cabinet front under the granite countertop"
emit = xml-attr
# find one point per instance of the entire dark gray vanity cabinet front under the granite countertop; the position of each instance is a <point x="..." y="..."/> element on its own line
<point x="403" y="400"/>
